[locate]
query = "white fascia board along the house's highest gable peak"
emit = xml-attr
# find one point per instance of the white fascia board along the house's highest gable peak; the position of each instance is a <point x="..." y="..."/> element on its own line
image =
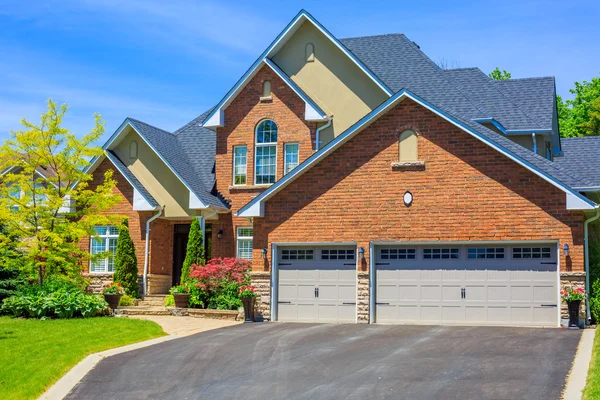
<point x="275" y="46"/>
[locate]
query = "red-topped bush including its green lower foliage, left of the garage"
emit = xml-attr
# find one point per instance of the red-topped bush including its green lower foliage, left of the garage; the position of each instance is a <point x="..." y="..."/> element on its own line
<point x="217" y="284"/>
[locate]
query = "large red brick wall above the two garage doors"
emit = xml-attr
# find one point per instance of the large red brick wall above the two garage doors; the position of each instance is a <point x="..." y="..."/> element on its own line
<point x="467" y="191"/>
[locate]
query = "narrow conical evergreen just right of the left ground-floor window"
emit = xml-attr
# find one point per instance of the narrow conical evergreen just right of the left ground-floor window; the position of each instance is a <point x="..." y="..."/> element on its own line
<point x="126" y="271"/>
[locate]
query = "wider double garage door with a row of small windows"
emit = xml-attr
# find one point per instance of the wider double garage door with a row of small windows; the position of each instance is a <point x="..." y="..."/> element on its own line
<point x="475" y="284"/>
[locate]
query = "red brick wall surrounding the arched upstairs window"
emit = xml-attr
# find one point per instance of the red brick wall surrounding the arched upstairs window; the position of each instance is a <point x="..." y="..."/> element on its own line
<point x="286" y="109"/>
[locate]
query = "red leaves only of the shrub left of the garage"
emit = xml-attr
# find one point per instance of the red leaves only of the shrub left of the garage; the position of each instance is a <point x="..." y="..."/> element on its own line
<point x="221" y="271"/>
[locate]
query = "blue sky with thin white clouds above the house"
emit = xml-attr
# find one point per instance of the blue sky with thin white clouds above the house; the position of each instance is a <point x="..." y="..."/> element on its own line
<point x="165" y="62"/>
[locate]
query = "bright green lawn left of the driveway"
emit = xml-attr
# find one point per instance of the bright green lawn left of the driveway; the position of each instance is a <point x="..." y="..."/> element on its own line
<point x="34" y="354"/>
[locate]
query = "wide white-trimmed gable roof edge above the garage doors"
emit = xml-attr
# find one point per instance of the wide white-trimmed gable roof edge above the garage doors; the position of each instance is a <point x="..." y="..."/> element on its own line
<point x="536" y="164"/>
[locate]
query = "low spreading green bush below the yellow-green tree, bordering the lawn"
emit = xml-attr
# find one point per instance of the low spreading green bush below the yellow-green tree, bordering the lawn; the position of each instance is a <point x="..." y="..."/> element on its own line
<point x="53" y="299"/>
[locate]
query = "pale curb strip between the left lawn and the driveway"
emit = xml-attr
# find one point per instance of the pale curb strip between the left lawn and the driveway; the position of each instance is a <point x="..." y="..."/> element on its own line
<point x="64" y="385"/>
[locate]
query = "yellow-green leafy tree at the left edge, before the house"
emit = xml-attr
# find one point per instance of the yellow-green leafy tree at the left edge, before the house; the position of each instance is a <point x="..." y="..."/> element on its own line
<point x="45" y="197"/>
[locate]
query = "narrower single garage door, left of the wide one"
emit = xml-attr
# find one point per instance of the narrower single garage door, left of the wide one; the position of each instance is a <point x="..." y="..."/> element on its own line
<point x="317" y="284"/>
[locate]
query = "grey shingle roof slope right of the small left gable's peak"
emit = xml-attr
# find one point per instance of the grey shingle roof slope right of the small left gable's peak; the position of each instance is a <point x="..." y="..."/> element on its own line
<point x="179" y="158"/>
